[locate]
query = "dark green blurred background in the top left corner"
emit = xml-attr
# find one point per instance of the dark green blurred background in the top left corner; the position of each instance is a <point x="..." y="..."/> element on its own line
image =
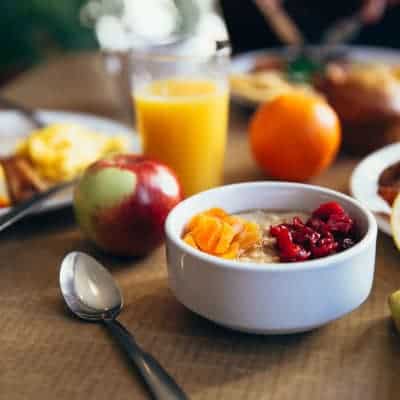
<point x="33" y="30"/>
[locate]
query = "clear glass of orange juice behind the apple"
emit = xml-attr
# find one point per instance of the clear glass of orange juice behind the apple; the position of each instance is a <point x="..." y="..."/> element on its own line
<point x="181" y="111"/>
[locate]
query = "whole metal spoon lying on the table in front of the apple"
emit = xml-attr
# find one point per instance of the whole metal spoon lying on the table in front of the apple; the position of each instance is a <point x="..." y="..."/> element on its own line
<point x="92" y="294"/>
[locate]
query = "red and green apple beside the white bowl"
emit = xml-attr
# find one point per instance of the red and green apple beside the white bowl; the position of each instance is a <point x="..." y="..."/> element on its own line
<point x="121" y="203"/>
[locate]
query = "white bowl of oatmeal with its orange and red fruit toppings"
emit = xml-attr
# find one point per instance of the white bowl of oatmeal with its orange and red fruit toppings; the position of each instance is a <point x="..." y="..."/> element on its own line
<point x="253" y="256"/>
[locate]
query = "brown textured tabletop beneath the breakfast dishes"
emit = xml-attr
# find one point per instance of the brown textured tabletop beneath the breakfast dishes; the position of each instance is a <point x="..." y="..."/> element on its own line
<point x="46" y="354"/>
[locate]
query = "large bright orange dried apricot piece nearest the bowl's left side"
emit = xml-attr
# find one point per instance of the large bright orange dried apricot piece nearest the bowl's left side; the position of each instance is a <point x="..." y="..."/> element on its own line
<point x="207" y="233"/>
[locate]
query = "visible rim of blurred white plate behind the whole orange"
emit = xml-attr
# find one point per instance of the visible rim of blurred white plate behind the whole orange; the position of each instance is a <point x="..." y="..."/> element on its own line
<point x="244" y="62"/>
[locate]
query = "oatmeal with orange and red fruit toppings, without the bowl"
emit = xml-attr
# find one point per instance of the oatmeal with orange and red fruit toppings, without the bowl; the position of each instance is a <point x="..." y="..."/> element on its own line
<point x="272" y="236"/>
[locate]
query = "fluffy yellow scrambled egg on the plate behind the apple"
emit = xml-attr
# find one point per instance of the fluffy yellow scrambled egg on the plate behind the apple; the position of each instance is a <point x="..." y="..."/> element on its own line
<point x="60" y="152"/>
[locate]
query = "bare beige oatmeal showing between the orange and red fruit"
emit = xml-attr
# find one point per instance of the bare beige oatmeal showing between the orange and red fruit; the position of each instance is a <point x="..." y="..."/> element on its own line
<point x="266" y="251"/>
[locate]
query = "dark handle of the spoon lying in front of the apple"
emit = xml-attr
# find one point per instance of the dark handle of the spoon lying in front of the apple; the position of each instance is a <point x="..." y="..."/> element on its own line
<point x="161" y="385"/>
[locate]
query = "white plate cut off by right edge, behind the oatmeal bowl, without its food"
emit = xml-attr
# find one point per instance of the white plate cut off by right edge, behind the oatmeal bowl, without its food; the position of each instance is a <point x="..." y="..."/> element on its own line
<point x="364" y="182"/>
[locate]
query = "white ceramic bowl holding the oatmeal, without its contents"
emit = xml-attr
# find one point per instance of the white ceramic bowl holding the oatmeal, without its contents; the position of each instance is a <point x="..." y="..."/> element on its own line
<point x="270" y="298"/>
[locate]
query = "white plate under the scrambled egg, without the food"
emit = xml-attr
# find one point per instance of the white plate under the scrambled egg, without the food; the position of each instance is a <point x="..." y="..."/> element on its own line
<point x="13" y="127"/>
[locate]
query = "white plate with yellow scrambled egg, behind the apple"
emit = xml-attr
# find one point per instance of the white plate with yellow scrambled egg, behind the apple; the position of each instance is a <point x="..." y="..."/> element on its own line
<point x="62" y="149"/>
